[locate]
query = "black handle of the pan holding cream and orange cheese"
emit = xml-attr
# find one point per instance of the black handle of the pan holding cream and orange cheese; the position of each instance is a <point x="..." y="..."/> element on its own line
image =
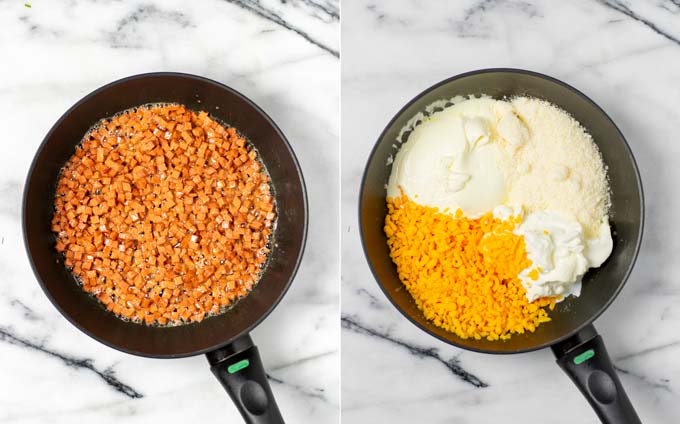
<point x="583" y="357"/>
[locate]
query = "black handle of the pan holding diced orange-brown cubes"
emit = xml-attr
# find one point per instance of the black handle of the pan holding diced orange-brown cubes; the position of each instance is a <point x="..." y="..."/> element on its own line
<point x="239" y="369"/>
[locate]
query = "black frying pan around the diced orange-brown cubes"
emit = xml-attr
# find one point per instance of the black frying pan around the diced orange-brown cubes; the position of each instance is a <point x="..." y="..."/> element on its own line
<point x="224" y="338"/>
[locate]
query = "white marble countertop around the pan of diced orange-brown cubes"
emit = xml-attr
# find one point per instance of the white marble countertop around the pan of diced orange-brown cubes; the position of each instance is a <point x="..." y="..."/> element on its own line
<point x="284" y="56"/>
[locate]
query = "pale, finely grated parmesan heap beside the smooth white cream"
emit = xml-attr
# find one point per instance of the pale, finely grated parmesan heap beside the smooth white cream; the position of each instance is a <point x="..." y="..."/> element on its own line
<point x="561" y="150"/>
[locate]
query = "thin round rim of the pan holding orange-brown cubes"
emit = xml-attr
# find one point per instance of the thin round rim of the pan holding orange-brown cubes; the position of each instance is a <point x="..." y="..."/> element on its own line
<point x="220" y="86"/>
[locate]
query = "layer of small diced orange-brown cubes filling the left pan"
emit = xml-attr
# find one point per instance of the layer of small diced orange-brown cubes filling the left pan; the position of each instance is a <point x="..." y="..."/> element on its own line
<point x="164" y="215"/>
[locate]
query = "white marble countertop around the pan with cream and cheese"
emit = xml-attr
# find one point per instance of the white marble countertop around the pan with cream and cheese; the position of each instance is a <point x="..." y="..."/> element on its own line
<point x="626" y="56"/>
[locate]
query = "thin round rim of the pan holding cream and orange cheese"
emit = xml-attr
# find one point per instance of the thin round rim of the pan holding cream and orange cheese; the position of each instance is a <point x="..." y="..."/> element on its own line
<point x="538" y="75"/>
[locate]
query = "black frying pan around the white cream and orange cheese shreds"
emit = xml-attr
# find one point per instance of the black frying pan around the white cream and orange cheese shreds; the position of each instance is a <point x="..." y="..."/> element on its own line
<point x="579" y="350"/>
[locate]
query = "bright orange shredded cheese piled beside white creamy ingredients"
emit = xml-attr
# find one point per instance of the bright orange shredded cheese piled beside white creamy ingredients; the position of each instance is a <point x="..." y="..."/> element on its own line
<point x="462" y="272"/>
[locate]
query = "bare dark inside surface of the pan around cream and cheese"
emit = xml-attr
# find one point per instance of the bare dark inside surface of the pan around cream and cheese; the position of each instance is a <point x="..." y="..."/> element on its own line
<point x="600" y="285"/>
